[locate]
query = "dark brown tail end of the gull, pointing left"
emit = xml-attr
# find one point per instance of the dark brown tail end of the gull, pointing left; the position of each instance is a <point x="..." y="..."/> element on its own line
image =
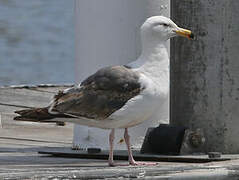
<point x="38" y="115"/>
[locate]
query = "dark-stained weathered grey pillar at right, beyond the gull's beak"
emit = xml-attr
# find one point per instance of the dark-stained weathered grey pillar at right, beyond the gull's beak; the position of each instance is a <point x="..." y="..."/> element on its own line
<point x="205" y="72"/>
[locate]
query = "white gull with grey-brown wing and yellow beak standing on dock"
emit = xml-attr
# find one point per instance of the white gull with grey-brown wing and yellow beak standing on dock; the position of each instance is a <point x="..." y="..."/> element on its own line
<point x="118" y="96"/>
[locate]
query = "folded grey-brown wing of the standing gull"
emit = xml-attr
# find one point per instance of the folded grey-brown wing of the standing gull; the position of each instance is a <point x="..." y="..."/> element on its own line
<point x="99" y="95"/>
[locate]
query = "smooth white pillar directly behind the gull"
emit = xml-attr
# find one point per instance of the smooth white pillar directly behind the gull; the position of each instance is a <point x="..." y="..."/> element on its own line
<point x="107" y="33"/>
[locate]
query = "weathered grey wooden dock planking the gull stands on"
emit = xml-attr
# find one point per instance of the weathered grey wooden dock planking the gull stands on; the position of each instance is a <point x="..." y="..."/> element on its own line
<point x="20" y="143"/>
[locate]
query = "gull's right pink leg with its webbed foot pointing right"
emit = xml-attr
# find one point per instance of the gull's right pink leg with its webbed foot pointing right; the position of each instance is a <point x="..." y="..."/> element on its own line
<point x="131" y="158"/>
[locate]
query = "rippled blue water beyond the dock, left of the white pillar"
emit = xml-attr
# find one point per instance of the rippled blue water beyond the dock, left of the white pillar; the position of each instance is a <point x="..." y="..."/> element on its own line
<point x="36" y="41"/>
